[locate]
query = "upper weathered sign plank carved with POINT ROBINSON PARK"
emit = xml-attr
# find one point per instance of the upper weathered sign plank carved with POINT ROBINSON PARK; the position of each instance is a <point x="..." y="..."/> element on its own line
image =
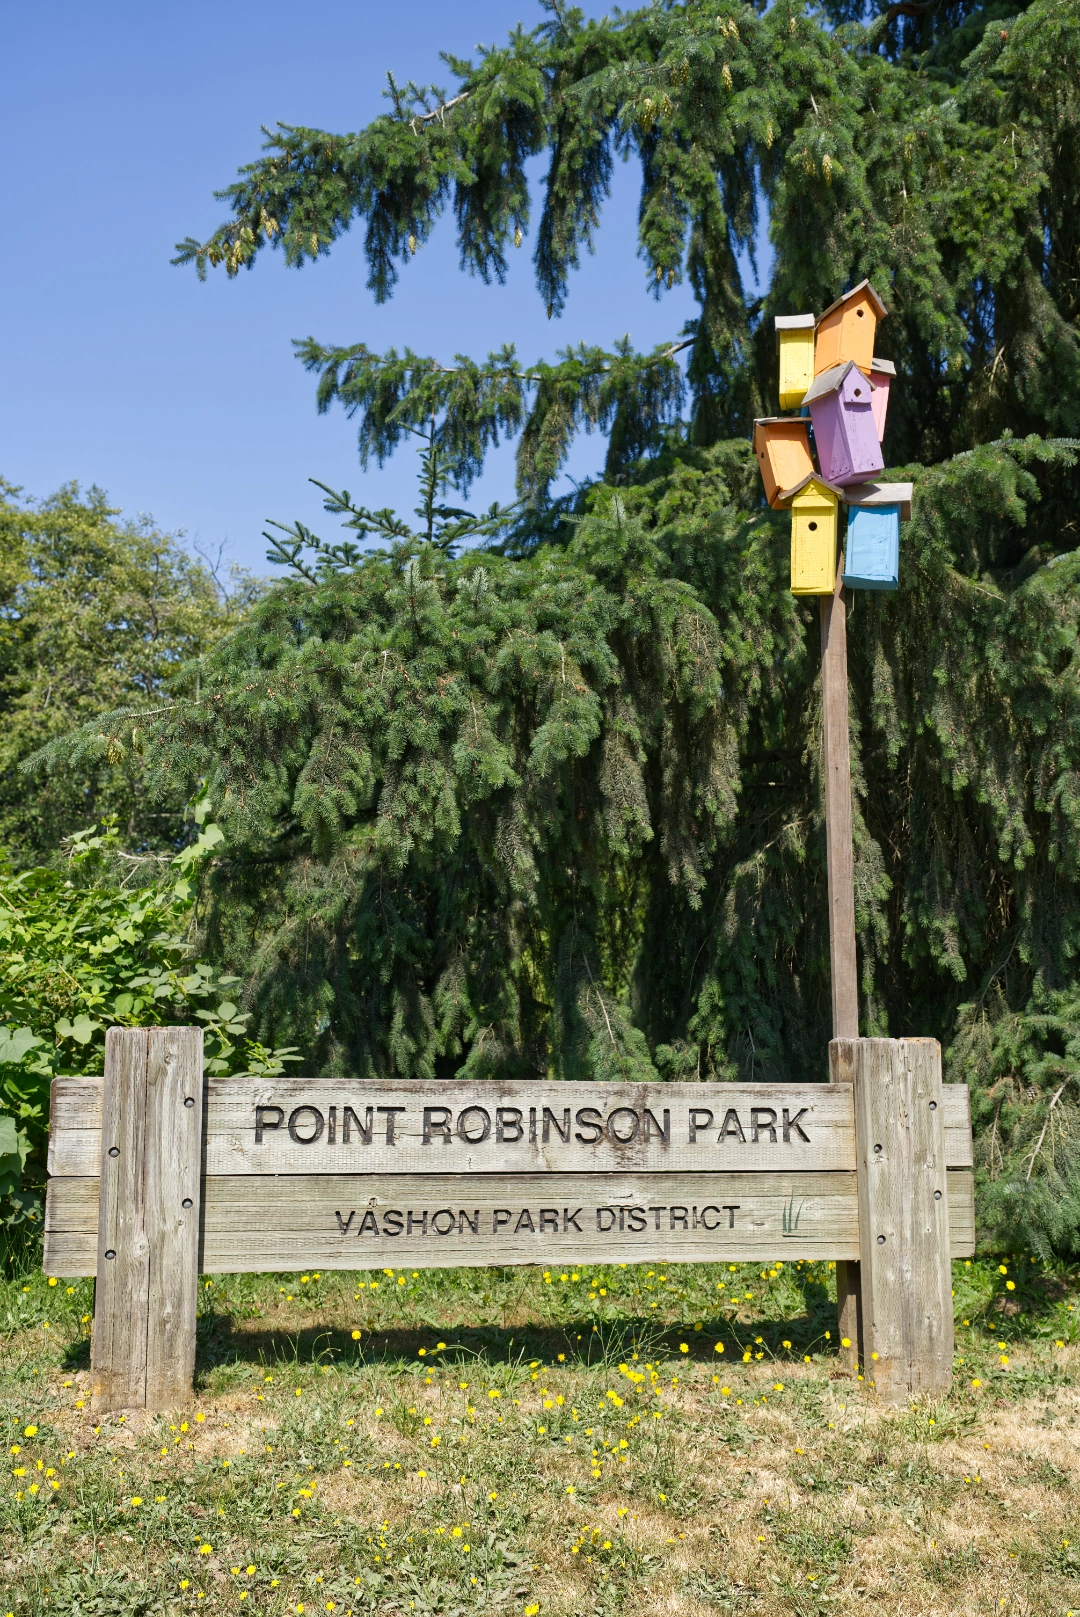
<point x="232" y="1126"/>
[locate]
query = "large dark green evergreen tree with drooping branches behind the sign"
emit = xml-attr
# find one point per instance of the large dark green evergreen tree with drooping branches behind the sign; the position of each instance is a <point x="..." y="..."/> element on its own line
<point x="555" y="808"/>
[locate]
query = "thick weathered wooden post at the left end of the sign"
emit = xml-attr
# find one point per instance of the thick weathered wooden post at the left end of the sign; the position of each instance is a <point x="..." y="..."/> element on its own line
<point x="143" y="1348"/>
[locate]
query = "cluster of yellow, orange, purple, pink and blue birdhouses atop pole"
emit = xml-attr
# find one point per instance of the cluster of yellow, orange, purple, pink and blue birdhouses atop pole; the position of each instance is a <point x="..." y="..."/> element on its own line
<point x="830" y="452"/>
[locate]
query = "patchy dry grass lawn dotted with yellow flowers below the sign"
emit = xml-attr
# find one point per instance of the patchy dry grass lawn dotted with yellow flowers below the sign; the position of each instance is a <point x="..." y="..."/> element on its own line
<point x="562" y="1443"/>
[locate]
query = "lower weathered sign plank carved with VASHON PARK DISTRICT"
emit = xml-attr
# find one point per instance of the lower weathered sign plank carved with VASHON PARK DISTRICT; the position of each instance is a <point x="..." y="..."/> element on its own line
<point x="266" y="1225"/>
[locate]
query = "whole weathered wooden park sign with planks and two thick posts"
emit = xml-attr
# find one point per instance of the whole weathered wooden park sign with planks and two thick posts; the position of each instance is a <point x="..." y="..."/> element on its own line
<point x="158" y="1175"/>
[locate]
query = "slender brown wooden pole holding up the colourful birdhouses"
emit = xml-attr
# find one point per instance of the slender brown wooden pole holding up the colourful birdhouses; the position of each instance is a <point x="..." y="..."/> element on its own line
<point x="842" y="869"/>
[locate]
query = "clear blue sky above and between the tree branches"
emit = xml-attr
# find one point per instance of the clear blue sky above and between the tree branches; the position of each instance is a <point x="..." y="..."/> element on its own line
<point x="184" y="400"/>
